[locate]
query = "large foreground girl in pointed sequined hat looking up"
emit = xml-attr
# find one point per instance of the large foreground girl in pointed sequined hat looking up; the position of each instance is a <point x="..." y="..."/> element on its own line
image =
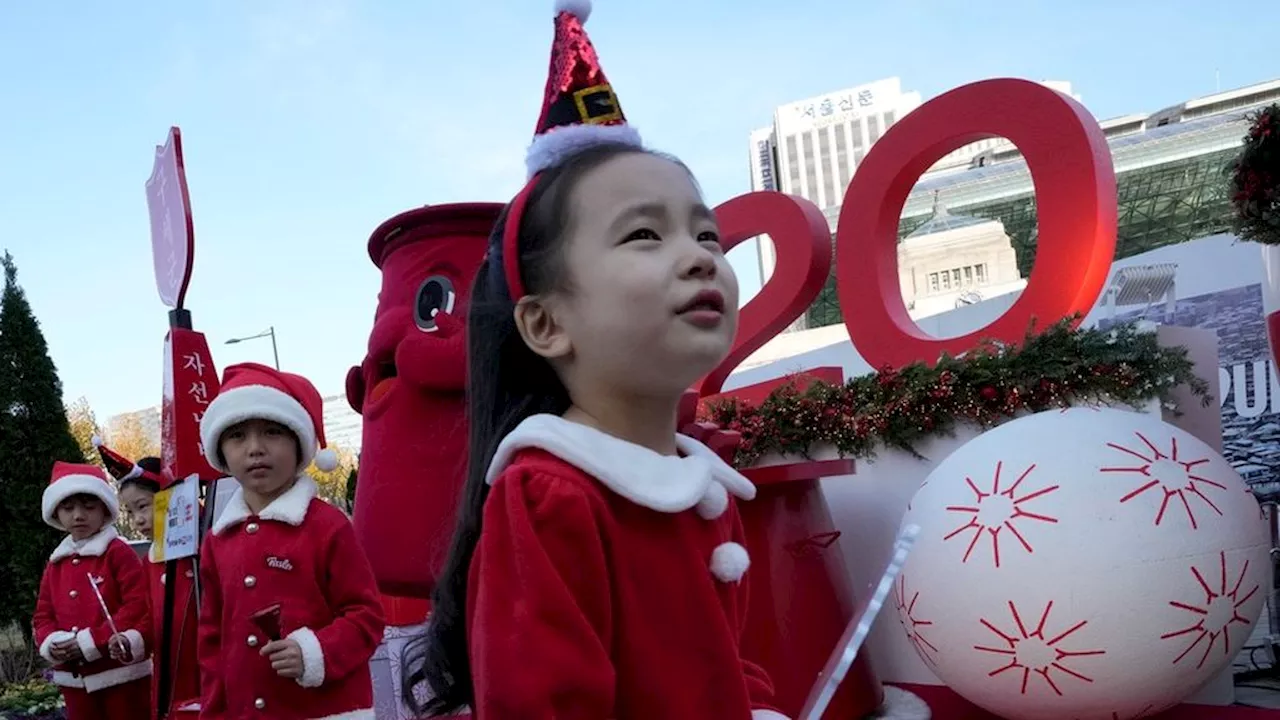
<point x="598" y="567"/>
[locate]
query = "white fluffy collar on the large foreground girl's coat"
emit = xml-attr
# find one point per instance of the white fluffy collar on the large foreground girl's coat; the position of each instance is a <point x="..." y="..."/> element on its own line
<point x="659" y="482"/>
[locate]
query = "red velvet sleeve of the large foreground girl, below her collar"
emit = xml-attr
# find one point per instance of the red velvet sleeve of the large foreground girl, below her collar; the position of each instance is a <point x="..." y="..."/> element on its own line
<point x="540" y="604"/>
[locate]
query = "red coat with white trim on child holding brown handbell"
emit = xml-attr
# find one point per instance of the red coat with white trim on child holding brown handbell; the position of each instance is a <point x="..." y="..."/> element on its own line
<point x="300" y="553"/>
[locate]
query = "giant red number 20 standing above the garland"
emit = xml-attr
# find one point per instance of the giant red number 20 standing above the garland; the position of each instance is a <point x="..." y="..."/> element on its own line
<point x="1076" y="194"/>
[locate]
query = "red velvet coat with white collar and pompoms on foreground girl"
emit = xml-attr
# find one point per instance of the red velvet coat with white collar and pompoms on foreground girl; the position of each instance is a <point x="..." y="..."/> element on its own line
<point x="609" y="582"/>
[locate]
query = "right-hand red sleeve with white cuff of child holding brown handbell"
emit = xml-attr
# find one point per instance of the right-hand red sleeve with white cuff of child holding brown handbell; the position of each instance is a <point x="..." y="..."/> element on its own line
<point x="345" y="645"/>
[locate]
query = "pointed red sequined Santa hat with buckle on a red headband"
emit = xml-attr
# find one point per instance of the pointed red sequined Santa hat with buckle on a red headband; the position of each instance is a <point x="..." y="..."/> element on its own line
<point x="580" y="111"/>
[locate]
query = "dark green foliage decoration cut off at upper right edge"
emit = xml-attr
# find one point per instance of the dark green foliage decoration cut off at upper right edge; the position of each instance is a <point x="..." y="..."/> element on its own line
<point x="1255" y="180"/>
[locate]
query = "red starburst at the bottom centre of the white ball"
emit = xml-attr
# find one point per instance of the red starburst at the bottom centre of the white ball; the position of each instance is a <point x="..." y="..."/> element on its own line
<point x="1036" y="654"/>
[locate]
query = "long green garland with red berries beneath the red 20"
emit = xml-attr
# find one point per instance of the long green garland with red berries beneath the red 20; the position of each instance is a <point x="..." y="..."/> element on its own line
<point x="899" y="409"/>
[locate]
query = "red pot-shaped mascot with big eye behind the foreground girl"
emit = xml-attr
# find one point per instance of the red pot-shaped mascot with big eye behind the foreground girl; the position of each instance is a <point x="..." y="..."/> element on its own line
<point x="410" y="391"/>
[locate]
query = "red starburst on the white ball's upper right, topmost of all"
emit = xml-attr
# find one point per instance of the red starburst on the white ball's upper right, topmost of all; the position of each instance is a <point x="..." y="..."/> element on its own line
<point x="1172" y="476"/>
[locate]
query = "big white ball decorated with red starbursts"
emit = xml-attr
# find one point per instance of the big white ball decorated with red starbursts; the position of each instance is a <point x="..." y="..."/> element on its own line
<point x="1084" y="564"/>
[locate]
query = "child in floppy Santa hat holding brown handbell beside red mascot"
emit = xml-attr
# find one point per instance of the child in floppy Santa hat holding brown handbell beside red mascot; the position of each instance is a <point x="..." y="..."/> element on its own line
<point x="291" y="614"/>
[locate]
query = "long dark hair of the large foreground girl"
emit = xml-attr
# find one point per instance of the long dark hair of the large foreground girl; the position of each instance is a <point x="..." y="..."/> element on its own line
<point x="506" y="384"/>
